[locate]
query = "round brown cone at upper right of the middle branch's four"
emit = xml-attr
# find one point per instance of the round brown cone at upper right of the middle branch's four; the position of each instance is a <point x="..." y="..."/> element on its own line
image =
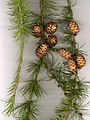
<point x="51" y="27"/>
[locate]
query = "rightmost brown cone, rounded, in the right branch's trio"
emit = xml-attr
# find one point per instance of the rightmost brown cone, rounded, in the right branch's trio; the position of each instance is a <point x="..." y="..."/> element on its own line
<point x="81" y="61"/>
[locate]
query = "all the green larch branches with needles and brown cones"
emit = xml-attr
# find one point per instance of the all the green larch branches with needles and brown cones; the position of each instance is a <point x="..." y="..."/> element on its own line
<point x="43" y="26"/>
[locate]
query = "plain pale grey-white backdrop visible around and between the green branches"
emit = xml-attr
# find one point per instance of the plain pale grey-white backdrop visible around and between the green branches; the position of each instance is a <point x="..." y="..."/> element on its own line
<point x="9" y="55"/>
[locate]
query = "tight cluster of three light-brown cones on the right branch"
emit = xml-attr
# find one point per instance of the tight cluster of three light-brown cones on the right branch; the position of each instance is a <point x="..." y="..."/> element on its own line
<point x="74" y="61"/>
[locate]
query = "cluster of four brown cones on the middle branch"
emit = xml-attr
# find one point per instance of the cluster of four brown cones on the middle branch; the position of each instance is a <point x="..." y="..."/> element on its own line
<point x="51" y="40"/>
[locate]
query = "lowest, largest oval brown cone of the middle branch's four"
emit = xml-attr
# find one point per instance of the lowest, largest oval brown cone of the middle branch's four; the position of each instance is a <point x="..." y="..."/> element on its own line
<point x="42" y="50"/>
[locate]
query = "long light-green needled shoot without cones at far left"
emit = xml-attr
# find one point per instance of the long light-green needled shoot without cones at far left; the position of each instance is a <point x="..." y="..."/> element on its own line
<point x="19" y="12"/>
